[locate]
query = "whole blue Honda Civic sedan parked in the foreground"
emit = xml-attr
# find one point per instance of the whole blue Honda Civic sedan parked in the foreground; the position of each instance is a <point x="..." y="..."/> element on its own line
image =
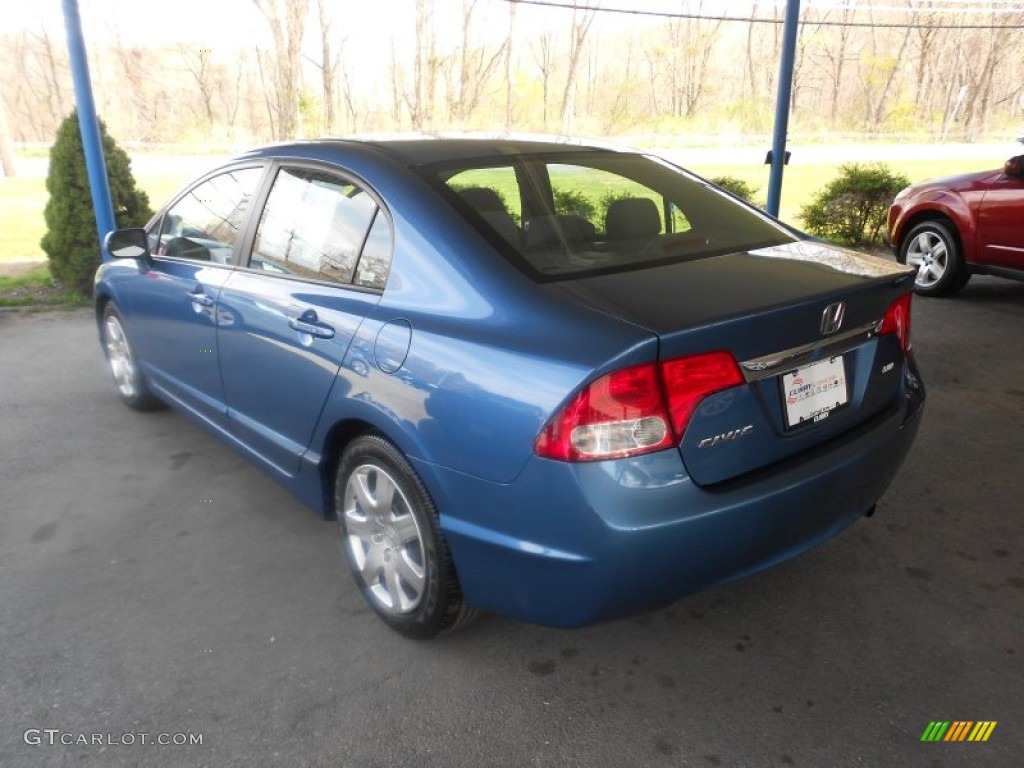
<point x="559" y="382"/>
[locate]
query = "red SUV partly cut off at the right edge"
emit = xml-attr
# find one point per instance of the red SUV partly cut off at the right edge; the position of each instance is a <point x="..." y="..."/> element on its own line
<point x="950" y="229"/>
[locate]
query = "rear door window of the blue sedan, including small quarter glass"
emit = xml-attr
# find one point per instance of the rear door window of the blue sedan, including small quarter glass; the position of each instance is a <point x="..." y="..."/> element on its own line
<point x="315" y="226"/>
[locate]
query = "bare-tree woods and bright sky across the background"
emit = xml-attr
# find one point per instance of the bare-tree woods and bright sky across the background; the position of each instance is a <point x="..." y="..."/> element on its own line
<point x="280" y="69"/>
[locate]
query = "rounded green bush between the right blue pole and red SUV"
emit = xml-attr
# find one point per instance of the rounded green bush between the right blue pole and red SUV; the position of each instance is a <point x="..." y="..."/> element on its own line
<point x="852" y="208"/>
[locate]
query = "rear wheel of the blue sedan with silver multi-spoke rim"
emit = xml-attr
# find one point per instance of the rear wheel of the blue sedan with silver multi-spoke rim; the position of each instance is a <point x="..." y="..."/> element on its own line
<point x="393" y="541"/>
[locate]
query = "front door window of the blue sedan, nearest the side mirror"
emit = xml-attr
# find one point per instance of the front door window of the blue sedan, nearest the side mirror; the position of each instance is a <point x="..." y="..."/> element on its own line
<point x="204" y="225"/>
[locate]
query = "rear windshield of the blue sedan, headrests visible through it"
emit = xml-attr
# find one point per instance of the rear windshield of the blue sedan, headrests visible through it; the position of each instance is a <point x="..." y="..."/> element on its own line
<point x="575" y="216"/>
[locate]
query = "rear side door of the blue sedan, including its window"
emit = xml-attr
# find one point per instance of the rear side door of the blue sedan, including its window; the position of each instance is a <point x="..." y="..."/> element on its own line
<point x="318" y="263"/>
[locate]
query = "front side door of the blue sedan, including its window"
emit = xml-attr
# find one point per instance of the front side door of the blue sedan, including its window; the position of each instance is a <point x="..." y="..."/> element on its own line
<point x="174" y="311"/>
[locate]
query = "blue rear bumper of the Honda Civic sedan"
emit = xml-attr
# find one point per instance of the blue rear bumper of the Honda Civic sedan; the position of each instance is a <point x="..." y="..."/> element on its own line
<point x="569" y="545"/>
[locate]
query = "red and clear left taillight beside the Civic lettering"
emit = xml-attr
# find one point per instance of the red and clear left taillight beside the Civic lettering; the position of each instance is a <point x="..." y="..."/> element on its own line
<point x="635" y="410"/>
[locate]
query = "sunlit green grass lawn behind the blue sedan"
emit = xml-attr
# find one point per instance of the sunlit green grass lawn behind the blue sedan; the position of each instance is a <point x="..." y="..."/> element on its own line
<point x="23" y="200"/>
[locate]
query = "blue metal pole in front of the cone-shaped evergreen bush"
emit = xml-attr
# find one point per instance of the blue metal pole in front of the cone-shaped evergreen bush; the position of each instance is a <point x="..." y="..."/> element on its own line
<point x="89" y="125"/>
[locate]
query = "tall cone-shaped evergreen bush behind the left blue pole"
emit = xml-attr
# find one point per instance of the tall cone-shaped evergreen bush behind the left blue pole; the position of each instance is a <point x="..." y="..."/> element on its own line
<point x="71" y="243"/>
